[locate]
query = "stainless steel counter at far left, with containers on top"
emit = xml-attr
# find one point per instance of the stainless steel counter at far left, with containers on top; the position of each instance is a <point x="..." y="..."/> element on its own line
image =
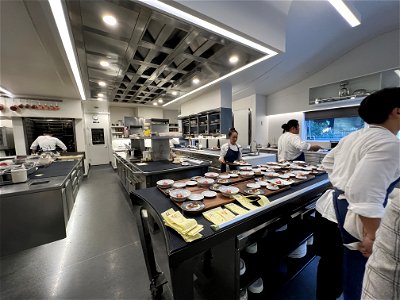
<point x="37" y="211"/>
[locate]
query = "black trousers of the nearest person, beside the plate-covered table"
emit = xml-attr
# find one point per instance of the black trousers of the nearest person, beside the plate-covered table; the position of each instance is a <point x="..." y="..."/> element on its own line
<point x="329" y="246"/>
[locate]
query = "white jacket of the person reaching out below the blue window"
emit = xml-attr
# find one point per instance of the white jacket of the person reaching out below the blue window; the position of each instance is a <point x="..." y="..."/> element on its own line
<point x="290" y="146"/>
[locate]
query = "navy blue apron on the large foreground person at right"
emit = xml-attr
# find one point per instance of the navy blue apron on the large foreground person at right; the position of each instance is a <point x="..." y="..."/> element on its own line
<point x="353" y="261"/>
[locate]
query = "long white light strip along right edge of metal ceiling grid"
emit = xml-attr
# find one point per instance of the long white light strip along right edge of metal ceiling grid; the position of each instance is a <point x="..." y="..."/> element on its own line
<point x="207" y="25"/>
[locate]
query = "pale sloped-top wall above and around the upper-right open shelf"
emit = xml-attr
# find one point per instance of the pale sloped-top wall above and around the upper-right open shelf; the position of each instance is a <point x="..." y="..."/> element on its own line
<point x="378" y="54"/>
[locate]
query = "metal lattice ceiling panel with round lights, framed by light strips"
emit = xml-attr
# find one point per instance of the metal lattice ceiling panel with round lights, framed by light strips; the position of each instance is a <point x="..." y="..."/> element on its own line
<point x="159" y="56"/>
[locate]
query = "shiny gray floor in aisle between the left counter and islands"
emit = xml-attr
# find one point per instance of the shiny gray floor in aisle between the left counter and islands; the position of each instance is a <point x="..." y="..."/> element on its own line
<point x="101" y="257"/>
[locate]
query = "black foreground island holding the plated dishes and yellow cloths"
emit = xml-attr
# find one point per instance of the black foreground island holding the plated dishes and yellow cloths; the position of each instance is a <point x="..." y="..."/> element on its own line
<point x="215" y="258"/>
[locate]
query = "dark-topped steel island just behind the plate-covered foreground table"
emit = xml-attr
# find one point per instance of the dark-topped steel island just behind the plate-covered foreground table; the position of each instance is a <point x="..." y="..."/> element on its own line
<point x="137" y="175"/>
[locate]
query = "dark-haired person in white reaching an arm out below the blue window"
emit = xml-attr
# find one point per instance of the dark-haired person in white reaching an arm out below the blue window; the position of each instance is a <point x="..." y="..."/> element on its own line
<point x="290" y="145"/>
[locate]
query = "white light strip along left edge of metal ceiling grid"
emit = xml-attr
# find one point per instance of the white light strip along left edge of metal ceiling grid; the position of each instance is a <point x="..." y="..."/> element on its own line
<point x="61" y="22"/>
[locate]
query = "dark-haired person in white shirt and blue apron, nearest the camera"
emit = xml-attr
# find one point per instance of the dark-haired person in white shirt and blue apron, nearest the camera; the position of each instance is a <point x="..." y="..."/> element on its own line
<point x="363" y="169"/>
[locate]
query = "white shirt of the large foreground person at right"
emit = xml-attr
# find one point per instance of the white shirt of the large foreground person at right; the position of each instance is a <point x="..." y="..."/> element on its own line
<point x="363" y="165"/>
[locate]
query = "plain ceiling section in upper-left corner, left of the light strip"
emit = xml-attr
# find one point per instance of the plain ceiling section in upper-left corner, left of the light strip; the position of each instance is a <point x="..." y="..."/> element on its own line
<point x="32" y="62"/>
